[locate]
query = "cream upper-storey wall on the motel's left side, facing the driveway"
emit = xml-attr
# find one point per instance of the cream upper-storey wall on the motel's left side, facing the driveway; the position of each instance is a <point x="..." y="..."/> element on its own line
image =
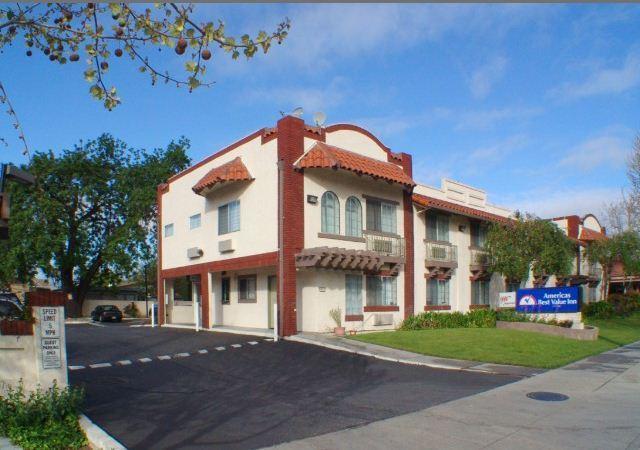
<point x="258" y="209"/>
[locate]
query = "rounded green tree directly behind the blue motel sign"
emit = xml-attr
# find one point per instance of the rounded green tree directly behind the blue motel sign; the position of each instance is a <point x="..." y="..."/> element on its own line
<point x="529" y="244"/>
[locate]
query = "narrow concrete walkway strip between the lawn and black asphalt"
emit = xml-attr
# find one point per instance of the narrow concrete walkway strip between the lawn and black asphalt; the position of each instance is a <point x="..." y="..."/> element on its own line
<point x="402" y="356"/>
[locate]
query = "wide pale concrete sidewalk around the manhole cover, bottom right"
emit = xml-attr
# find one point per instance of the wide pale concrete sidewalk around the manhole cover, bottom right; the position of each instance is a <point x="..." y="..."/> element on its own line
<point x="602" y="412"/>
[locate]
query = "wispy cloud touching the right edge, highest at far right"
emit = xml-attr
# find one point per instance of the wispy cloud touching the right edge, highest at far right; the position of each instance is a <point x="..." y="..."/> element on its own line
<point x="604" y="81"/>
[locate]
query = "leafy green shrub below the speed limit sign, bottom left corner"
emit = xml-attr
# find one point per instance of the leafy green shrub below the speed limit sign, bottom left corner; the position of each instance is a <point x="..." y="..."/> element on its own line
<point x="45" y="419"/>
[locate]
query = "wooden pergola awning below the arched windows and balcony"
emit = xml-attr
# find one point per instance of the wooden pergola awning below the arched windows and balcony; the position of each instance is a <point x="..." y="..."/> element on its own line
<point x="346" y="259"/>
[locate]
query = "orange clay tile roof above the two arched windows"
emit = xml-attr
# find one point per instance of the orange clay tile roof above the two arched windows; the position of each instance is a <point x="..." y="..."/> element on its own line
<point x="326" y="156"/>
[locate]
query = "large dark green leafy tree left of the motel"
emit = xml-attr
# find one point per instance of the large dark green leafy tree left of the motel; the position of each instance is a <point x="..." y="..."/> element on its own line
<point x="91" y="214"/>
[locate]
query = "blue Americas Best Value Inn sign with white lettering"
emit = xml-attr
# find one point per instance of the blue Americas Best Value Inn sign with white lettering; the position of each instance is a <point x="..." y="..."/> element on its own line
<point x="548" y="300"/>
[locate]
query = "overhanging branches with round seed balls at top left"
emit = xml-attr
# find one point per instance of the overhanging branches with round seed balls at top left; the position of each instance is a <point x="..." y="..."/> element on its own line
<point x="61" y="31"/>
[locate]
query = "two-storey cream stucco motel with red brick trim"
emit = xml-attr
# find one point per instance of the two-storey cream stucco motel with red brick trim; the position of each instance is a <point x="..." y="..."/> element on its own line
<point x="318" y="218"/>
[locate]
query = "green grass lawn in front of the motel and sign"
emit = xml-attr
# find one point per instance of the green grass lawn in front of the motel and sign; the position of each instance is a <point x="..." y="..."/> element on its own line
<point x="509" y="346"/>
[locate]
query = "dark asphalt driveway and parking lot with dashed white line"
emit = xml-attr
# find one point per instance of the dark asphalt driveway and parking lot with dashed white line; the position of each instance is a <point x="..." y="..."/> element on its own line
<point x="257" y="394"/>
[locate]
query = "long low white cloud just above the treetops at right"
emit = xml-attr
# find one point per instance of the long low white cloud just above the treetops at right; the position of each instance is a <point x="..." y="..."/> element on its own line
<point x="562" y="202"/>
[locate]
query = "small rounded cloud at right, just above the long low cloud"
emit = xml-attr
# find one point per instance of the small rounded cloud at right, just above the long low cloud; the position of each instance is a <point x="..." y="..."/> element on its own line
<point x="597" y="152"/>
